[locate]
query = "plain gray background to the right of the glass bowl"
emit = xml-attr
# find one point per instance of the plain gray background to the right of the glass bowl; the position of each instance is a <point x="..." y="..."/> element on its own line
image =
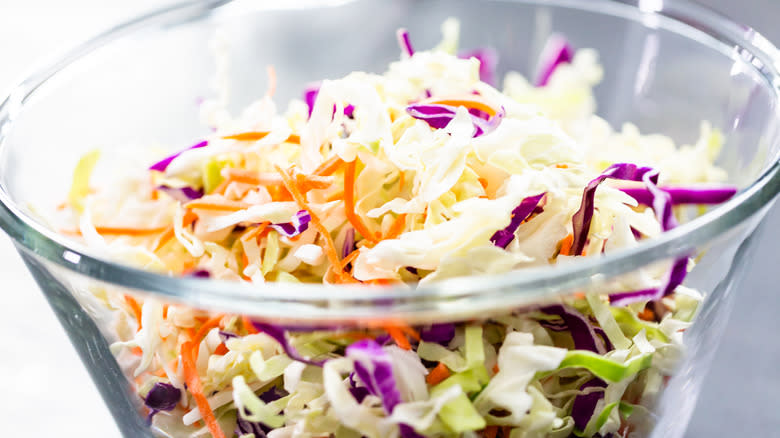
<point x="740" y="393"/>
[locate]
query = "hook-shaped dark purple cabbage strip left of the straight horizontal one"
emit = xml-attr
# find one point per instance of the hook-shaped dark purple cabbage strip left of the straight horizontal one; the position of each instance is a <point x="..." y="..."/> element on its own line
<point x="583" y="217"/>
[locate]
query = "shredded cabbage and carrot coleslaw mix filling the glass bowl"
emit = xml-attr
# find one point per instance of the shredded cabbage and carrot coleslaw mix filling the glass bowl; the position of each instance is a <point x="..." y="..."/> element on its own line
<point x="428" y="171"/>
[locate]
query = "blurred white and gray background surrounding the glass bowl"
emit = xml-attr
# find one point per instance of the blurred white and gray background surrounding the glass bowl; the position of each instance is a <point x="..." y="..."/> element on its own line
<point x="46" y="392"/>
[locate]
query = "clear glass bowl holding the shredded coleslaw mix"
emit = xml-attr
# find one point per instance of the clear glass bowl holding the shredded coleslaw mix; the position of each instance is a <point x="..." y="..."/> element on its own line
<point x="668" y="66"/>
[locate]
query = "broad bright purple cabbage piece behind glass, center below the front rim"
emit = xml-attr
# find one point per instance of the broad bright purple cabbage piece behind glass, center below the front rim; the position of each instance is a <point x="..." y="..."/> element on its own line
<point x="375" y="369"/>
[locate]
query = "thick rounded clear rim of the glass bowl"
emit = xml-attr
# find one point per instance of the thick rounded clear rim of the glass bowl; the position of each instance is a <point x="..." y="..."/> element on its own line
<point x="310" y="302"/>
